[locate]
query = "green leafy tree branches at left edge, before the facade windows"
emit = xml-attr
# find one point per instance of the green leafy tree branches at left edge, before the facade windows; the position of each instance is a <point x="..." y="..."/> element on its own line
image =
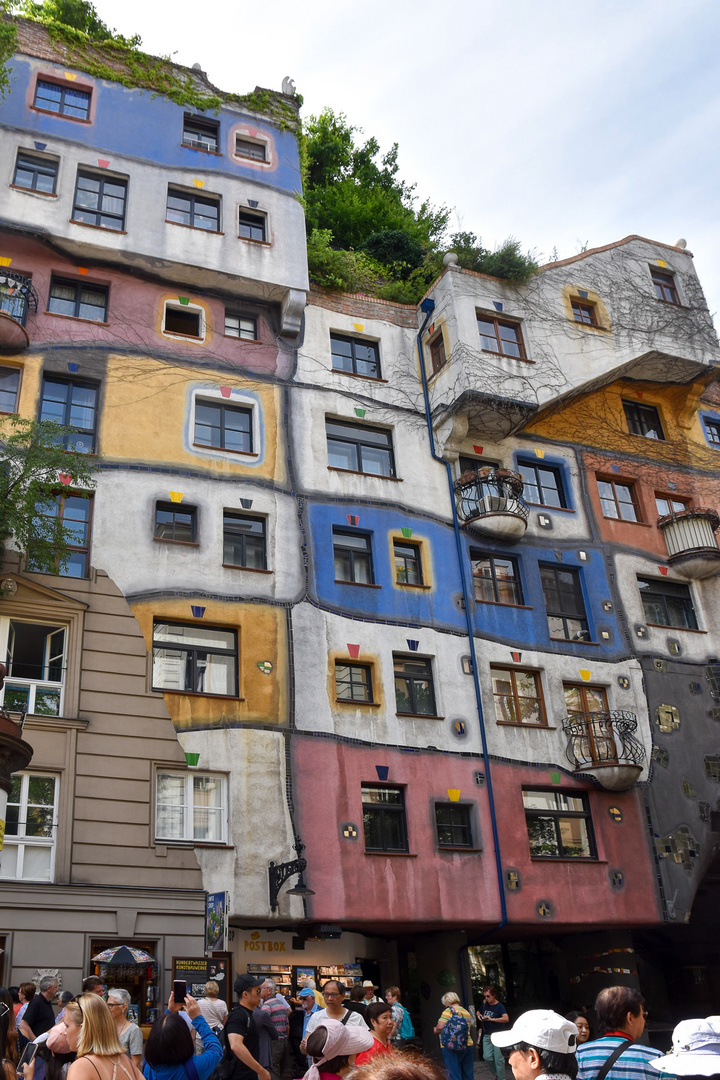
<point x="34" y="468"/>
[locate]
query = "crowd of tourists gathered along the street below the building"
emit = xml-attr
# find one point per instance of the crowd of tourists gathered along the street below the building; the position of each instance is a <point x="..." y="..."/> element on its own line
<point x="329" y="1034"/>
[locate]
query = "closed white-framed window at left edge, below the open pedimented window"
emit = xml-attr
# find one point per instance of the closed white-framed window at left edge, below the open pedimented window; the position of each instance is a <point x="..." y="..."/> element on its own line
<point x="31" y="829"/>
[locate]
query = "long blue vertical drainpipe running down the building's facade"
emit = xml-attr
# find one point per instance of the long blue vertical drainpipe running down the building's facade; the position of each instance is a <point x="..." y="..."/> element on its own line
<point x="428" y="307"/>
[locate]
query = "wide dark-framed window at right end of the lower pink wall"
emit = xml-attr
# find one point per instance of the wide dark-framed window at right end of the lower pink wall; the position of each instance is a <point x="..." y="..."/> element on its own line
<point x="559" y="826"/>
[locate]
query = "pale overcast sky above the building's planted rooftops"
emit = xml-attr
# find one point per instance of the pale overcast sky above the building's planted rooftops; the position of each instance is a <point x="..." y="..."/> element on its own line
<point x="560" y="125"/>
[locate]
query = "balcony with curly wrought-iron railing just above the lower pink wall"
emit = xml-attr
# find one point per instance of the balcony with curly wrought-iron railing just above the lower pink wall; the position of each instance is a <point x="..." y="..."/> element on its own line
<point x="604" y="746"/>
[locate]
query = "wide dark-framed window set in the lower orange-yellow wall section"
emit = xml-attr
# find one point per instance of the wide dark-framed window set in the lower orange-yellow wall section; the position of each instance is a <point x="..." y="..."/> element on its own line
<point x="195" y="659"/>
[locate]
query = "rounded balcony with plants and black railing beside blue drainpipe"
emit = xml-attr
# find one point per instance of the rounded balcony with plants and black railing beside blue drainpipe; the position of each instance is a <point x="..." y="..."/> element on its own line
<point x="491" y="501"/>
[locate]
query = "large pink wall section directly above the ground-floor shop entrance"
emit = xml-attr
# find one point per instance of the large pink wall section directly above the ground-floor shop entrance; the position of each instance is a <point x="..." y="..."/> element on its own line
<point x="444" y="888"/>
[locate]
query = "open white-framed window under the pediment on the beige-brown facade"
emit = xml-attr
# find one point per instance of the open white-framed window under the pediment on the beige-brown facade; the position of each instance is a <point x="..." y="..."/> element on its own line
<point x="36" y="669"/>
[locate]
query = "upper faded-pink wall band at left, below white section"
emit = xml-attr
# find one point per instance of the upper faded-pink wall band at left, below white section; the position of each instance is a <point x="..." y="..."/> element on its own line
<point x="135" y="313"/>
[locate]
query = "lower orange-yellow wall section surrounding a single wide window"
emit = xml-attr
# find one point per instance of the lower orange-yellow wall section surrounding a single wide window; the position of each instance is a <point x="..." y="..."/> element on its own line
<point x="262" y="639"/>
